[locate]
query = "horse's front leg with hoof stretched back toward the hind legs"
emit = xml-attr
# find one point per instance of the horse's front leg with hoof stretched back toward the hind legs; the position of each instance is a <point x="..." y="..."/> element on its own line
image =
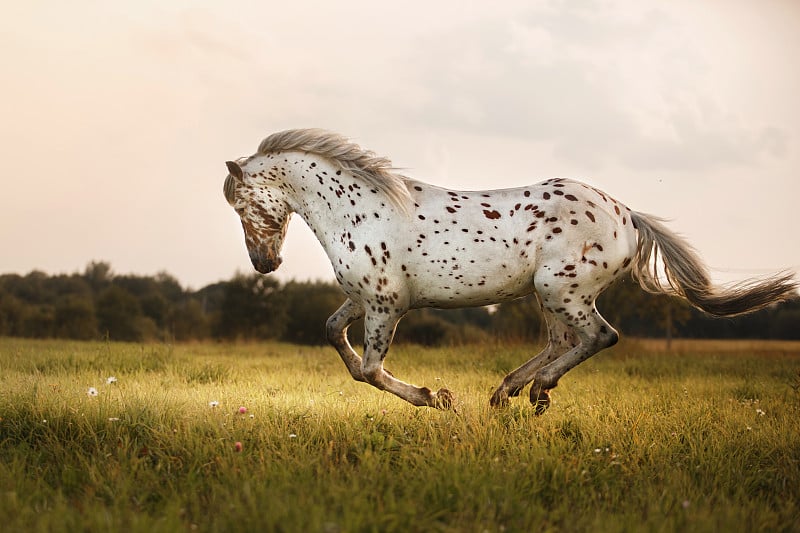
<point x="378" y="335"/>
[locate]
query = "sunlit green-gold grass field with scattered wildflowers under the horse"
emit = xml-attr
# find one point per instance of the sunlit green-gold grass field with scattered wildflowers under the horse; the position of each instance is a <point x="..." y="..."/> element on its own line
<point x="704" y="438"/>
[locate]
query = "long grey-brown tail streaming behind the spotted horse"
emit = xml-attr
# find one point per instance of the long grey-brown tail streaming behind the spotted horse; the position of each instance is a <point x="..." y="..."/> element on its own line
<point x="685" y="275"/>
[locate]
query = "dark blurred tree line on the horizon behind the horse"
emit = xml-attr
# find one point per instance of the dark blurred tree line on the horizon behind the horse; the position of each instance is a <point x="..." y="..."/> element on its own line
<point x="99" y="304"/>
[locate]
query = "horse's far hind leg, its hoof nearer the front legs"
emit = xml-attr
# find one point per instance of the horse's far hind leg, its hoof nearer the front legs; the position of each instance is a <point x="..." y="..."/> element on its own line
<point x="560" y="339"/>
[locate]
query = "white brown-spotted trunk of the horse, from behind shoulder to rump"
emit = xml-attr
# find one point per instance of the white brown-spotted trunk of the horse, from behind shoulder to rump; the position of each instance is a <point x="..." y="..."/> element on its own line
<point x="480" y="247"/>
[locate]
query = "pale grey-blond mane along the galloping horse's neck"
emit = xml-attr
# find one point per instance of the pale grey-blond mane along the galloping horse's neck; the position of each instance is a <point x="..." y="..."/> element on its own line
<point x="375" y="170"/>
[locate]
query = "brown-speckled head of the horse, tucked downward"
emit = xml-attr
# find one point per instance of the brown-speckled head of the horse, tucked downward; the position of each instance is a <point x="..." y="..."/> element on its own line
<point x="264" y="214"/>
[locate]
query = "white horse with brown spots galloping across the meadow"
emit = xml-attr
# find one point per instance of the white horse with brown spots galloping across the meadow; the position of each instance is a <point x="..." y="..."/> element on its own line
<point x="397" y="244"/>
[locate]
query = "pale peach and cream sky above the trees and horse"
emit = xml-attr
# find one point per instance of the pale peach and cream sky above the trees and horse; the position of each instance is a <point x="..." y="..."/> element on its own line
<point x="117" y="117"/>
